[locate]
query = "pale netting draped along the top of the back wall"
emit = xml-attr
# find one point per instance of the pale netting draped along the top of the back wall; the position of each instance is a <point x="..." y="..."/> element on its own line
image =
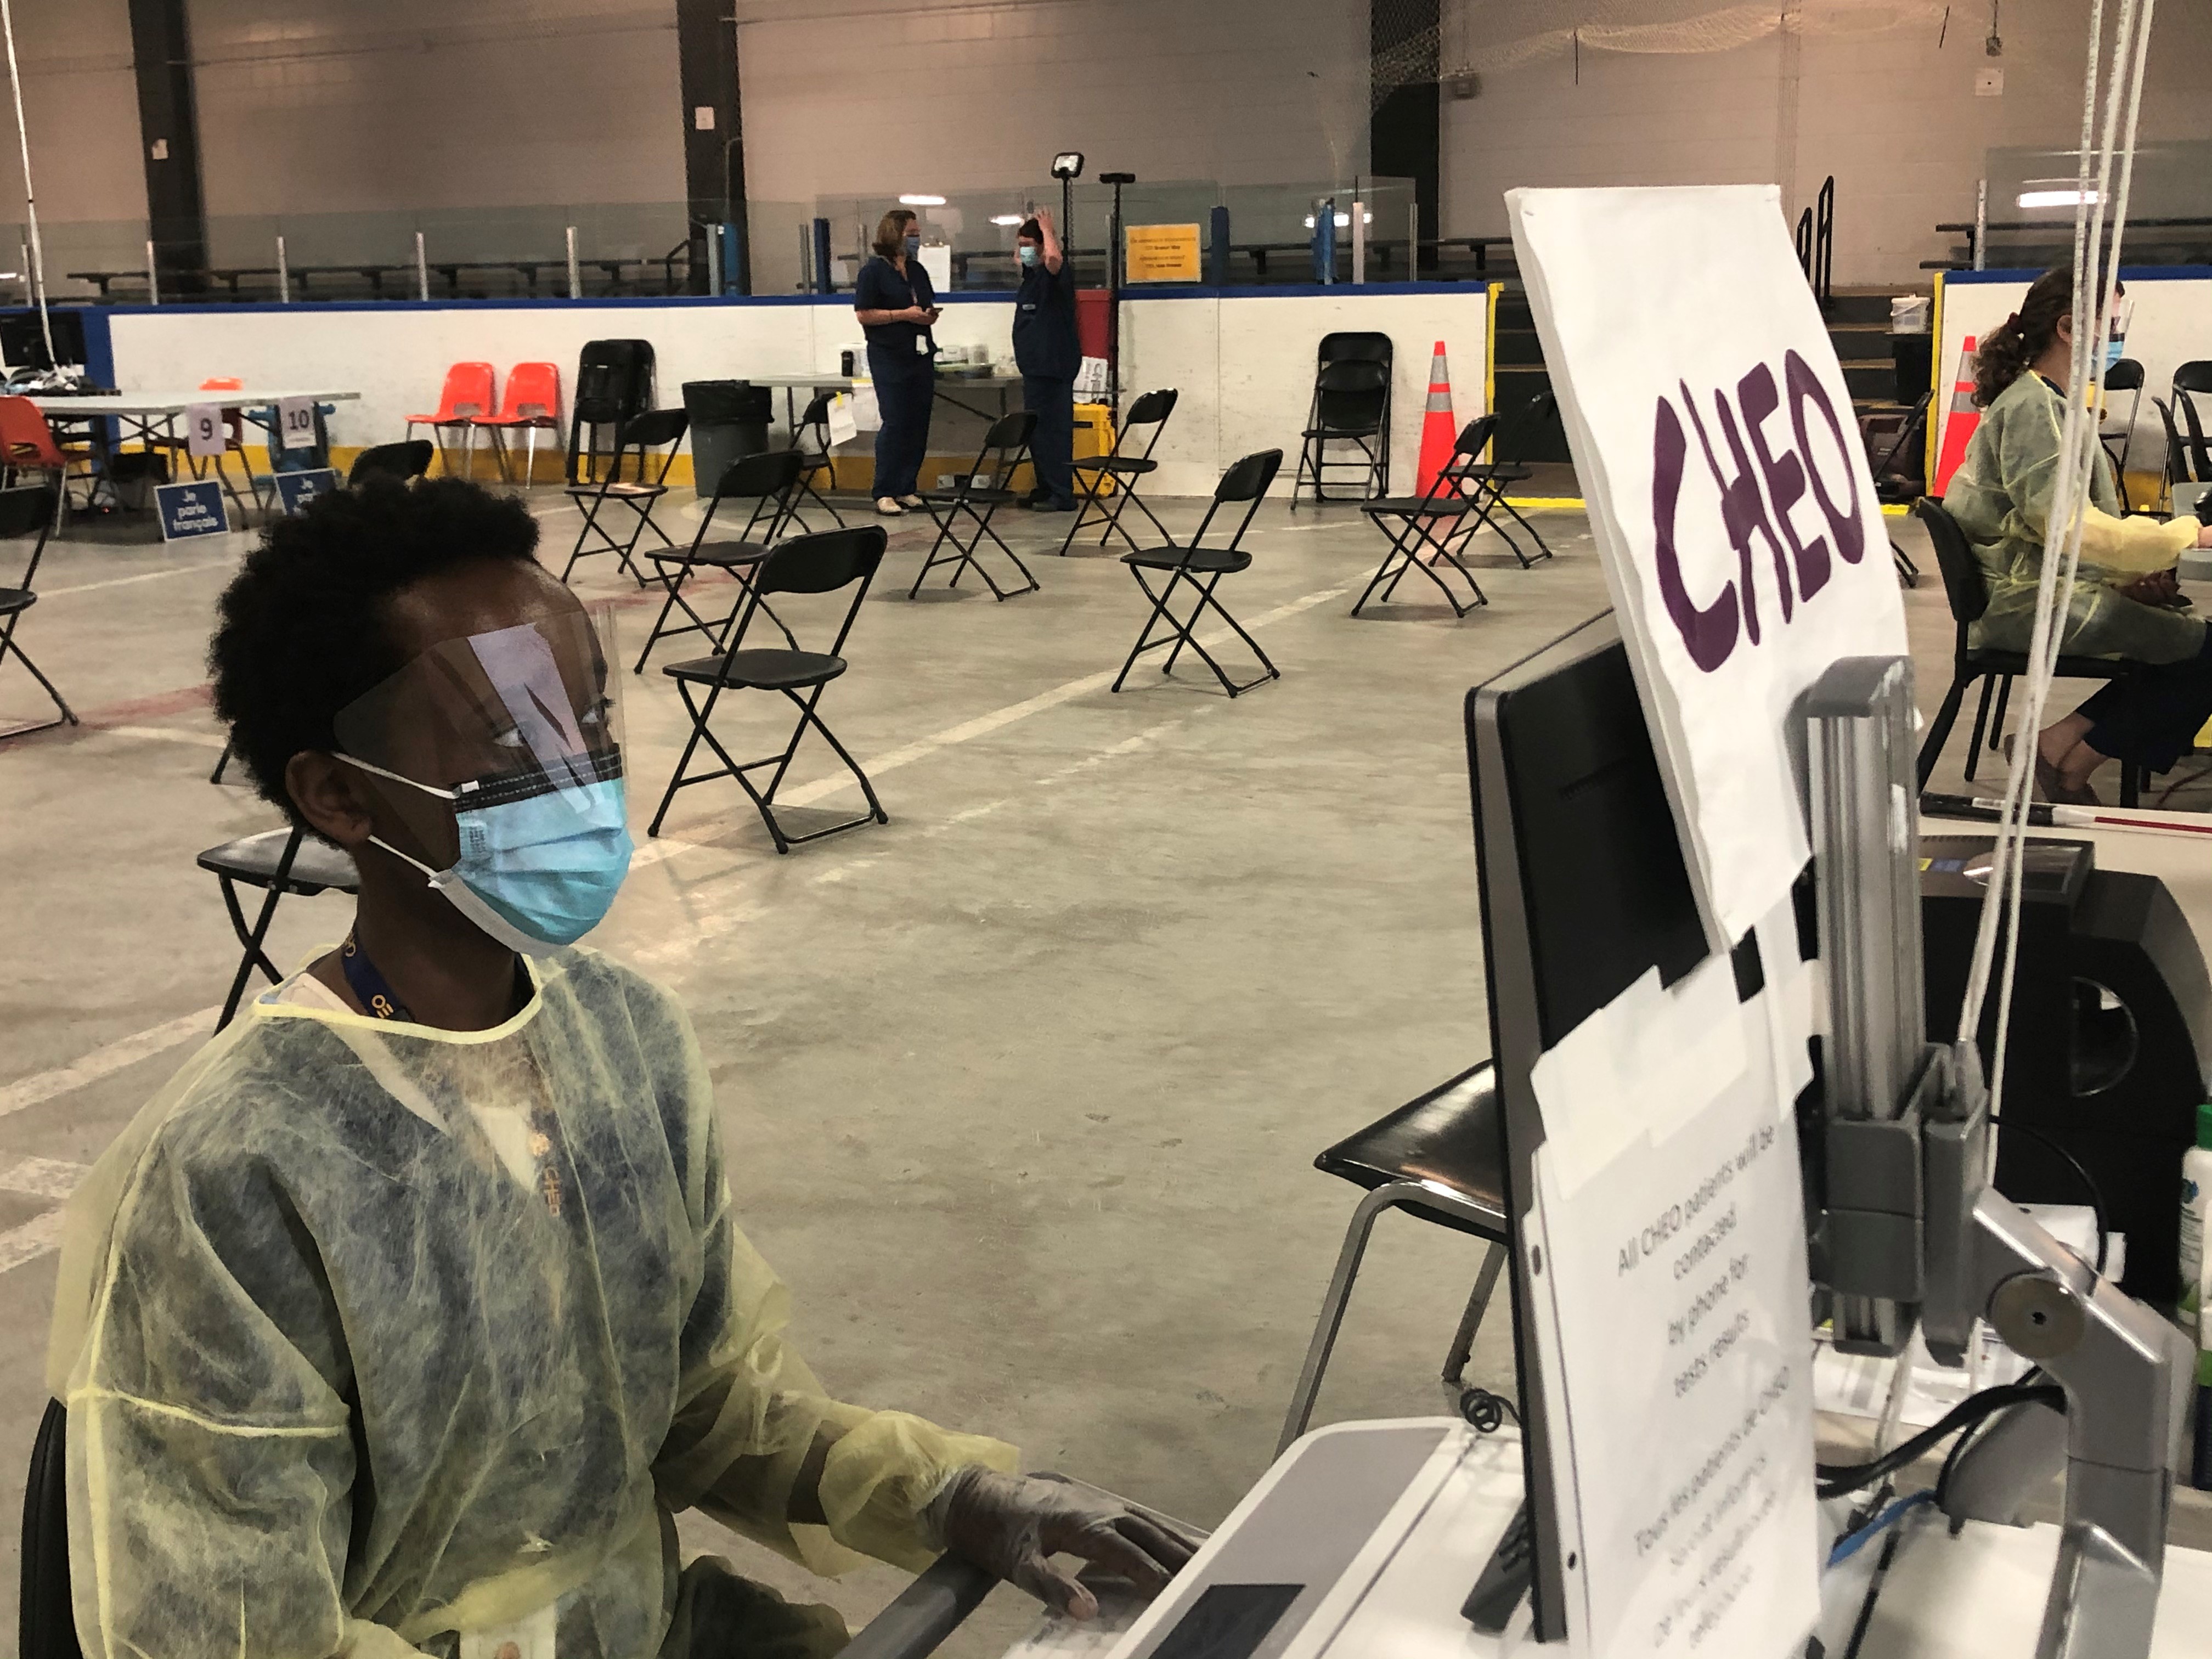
<point x="1479" y="36"/>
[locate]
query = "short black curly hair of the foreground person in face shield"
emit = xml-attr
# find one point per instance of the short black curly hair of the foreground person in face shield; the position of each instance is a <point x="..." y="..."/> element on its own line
<point x="302" y="627"/>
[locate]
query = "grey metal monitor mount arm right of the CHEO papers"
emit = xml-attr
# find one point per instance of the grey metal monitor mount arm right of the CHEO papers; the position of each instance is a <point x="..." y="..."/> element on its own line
<point x="1917" y="1235"/>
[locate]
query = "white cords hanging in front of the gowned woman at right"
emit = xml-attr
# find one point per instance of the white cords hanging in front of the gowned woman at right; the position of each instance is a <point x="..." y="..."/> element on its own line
<point x="2072" y="490"/>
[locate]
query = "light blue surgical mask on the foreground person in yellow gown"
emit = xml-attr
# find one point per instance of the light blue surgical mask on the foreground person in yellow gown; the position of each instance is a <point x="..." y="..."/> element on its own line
<point x="536" y="873"/>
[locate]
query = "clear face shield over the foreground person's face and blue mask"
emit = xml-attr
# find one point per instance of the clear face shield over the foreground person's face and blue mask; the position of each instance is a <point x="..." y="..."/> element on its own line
<point x="501" y="760"/>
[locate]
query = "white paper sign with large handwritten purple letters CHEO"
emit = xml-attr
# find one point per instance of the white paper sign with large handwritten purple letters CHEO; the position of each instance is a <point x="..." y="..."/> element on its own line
<point x="1729" y="497"/>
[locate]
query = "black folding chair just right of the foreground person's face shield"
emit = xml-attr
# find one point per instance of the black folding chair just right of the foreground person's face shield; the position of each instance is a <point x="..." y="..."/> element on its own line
<point x="822" y="563"/>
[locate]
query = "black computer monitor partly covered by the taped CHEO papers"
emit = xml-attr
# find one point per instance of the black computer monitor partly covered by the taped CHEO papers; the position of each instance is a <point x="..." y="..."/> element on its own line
<point x="1585" y="890"/>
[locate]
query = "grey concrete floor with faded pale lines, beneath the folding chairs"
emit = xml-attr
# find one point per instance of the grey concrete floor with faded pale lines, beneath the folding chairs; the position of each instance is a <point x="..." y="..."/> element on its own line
<point x="1023" y="1092"/>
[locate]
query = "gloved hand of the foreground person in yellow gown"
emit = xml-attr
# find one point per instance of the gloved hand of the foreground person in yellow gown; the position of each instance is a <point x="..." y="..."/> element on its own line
<point x="1014" y="1525"/>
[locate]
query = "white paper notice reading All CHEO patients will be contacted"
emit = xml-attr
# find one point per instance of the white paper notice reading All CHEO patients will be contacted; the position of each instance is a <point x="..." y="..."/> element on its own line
<point x="1678" y="1288"/>
